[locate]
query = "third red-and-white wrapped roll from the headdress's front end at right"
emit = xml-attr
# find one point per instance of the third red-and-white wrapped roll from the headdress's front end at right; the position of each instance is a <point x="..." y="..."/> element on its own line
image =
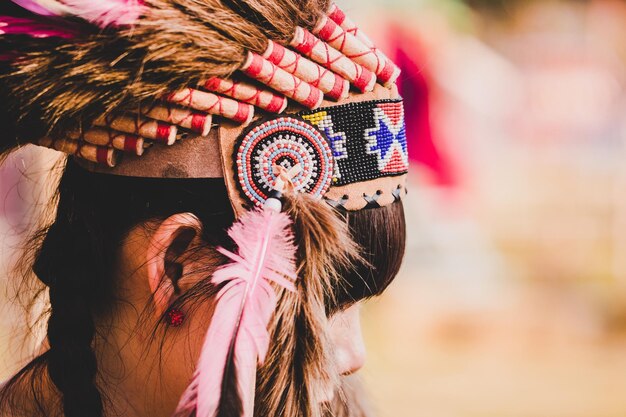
<point x="327" y="56"/>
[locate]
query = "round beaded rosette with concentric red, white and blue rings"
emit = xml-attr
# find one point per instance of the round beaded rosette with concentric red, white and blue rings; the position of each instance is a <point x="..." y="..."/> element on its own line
<point x="287" y="143"/>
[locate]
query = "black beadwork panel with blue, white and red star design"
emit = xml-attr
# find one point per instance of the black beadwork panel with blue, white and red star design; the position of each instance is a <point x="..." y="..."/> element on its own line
<point x="368" y="139"/>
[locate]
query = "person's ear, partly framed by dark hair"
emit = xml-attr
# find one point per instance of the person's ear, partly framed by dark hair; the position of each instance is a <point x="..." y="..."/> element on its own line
<point x="165" y="262"/>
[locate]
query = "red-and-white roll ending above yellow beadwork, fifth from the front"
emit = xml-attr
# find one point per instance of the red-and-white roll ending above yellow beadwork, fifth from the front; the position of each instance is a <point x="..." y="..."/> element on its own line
<point x="280" y="80"/>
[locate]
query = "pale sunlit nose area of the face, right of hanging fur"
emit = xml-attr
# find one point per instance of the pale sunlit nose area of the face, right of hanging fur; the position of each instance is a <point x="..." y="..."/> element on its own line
<point x="348" y="340"/>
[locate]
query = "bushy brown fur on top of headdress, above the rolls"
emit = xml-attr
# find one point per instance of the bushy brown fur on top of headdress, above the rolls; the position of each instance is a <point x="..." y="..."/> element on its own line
<point x="57" y="84"/>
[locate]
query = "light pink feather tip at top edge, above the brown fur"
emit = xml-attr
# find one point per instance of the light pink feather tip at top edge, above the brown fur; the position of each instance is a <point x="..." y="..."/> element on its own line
<point x="105" y="13"/>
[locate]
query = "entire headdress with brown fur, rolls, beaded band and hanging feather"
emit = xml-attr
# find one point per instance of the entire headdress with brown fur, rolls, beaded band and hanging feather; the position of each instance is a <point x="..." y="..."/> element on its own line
<point x="309" y="123"/>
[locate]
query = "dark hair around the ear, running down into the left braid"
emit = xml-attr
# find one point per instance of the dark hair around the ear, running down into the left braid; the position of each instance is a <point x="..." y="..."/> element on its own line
<point x="76" y="262"/>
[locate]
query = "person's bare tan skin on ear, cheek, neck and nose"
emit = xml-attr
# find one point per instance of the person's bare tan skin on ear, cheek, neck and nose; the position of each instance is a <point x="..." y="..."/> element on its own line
<point x="144" y="378"/>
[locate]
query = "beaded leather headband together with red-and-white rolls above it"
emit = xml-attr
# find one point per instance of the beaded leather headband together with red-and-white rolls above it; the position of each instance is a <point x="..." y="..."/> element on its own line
<point x="348" y="147"/>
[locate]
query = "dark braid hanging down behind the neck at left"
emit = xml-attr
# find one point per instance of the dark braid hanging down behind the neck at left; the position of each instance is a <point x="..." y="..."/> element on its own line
<point x="72" y="365"/>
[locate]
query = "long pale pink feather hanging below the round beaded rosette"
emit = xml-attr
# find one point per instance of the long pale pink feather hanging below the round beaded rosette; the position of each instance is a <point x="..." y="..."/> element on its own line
<point x="244" y="308"/>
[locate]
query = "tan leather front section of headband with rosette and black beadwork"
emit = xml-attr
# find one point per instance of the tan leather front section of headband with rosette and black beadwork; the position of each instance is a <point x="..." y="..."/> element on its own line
<point x="353" y="154"/>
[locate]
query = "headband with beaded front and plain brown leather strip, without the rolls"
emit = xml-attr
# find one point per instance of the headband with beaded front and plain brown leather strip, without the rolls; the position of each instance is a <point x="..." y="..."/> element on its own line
<point x="352" y="153"/>
